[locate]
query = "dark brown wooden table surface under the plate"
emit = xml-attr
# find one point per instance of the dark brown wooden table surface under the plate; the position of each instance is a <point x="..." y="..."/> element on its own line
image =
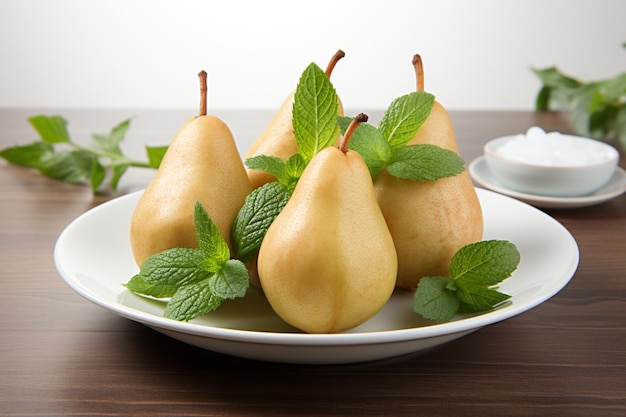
<point x="62" y="355"/>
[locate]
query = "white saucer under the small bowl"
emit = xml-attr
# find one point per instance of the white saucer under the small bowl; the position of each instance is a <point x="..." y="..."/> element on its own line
<point x="480" y="172"/>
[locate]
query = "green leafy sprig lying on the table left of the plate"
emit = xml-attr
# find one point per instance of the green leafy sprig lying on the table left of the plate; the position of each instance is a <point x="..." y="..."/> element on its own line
<point x="57" y="156"/>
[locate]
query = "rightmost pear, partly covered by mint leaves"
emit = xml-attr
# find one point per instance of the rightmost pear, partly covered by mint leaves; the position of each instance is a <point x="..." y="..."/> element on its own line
<point x="429" y="221"/>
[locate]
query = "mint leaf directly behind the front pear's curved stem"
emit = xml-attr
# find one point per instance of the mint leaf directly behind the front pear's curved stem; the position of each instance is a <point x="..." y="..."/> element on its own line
<point x="369" y="143"/>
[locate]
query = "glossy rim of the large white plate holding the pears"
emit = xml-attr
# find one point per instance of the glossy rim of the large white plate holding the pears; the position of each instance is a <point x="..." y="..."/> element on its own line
<point x="305" y="339"/>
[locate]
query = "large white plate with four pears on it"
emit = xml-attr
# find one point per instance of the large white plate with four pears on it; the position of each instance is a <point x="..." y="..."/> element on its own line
<point x="94" y="258"/>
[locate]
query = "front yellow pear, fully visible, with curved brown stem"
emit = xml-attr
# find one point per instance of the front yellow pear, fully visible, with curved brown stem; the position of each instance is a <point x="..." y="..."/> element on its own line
<point x="327" y="262"/>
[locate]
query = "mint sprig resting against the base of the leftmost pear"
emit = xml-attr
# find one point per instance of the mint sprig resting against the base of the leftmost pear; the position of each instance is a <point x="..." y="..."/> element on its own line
<point x="196" y="280"/>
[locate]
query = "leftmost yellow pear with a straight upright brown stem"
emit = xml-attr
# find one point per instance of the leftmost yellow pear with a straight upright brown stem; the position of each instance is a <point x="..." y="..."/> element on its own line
<point x="203" y="164"/>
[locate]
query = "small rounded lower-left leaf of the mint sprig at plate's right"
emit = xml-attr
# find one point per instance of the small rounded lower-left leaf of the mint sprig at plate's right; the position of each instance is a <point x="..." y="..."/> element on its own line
<point x="434" y="300"/>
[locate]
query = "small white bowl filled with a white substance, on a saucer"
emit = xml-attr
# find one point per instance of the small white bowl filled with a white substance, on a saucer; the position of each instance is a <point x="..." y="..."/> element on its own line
<point x="551" y="164"/>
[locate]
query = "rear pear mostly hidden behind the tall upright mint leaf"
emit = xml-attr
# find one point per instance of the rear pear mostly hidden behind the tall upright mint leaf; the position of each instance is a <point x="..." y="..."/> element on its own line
<point x="277" y="139"/>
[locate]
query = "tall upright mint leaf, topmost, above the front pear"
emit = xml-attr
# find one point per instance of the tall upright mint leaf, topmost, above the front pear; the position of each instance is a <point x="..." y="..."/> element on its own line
<point x="315" y="111"/>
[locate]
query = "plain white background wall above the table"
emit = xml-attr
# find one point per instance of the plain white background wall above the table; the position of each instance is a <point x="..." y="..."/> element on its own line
<point x="478" y="54"/>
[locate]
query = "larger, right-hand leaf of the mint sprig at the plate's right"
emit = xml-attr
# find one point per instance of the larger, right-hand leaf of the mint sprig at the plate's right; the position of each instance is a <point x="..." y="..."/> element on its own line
<point x="484" y="263"/>
